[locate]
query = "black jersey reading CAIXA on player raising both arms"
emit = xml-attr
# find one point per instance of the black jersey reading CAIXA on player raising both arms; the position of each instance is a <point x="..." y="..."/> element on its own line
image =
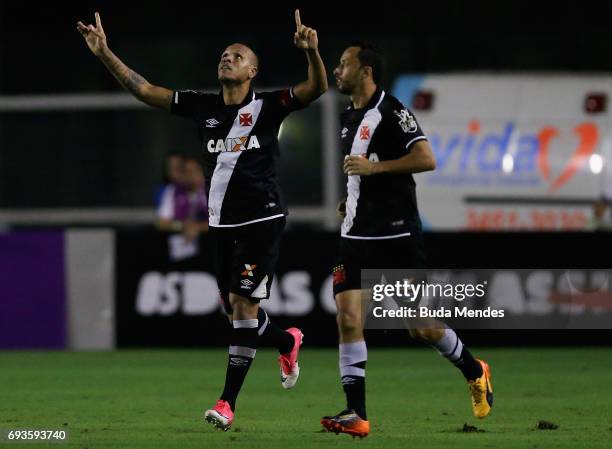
<point x="240" y="147"/>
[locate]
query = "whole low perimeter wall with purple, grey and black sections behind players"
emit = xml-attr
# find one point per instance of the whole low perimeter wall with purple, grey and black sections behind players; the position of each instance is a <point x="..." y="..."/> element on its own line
<point x="119" y="287"/>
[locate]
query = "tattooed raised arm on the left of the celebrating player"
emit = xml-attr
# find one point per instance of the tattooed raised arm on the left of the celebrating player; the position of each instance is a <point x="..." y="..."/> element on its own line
<point x="146" y="92"/>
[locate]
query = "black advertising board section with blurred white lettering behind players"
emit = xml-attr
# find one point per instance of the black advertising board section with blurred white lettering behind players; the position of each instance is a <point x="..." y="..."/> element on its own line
<point x="157" y="305"/>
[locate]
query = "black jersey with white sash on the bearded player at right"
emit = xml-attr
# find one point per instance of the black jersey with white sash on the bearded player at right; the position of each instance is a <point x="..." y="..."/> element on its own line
<point x="380" y="206"/>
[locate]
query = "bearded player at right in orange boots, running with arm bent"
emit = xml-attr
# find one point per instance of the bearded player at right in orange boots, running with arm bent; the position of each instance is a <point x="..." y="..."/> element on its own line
<point x="383" y="146"/>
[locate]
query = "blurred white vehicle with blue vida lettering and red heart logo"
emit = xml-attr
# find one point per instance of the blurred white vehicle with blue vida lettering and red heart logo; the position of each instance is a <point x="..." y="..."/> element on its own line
<point x="513" y="152"/>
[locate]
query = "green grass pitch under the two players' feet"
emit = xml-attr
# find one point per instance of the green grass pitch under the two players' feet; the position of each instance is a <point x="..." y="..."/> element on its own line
<point x="416" y="399"/>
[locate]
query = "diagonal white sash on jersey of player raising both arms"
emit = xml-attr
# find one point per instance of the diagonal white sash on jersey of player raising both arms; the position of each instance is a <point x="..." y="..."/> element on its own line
<point x="226" y="162"/>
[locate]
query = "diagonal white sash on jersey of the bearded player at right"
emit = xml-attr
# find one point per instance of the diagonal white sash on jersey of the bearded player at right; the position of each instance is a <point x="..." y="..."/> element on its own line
<point x="371" y="120"/>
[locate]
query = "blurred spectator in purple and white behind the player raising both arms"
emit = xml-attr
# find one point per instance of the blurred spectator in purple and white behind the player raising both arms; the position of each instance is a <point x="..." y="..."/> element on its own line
<point x="183" y="206"/>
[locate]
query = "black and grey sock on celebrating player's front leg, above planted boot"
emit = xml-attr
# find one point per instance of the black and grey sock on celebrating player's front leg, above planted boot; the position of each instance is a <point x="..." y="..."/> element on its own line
<point x="241" y="354"/>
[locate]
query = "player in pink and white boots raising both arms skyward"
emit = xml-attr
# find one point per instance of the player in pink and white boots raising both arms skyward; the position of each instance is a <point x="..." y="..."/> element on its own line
<point x="238" y="128"/>
